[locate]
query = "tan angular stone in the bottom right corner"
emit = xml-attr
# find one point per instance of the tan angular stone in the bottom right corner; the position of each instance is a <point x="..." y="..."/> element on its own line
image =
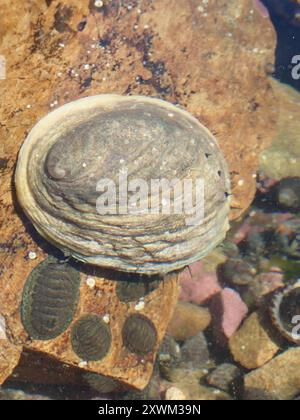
<point x="279" y="379"/>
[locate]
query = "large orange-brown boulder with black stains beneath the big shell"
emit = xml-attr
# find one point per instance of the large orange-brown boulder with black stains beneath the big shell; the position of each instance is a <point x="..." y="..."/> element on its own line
<point x="46" y="65"/>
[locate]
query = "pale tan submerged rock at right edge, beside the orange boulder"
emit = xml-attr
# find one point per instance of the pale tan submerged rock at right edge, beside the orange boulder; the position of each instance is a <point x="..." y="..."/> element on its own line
<point x="282" y="158"/>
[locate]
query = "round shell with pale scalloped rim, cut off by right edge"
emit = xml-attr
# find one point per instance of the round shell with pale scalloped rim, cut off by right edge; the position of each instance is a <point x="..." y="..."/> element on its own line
<point x="285" y="312"/>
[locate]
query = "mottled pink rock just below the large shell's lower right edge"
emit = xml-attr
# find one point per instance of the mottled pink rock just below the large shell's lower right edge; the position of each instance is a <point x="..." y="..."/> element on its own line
<point x="198" y="285"/>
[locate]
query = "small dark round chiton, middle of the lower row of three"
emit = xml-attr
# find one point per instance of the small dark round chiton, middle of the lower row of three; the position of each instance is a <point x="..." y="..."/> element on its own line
<point x="91" y="338"/>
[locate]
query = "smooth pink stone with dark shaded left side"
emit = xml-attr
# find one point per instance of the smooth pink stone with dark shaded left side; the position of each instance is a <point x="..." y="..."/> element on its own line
<point x="228" y="311"/>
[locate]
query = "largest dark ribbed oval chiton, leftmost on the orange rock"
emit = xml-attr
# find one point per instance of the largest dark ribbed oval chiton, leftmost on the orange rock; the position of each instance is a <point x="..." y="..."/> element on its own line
<point x="50" y="299"/>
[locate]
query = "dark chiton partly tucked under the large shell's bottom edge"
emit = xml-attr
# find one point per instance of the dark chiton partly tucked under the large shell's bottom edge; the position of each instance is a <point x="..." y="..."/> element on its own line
<point x="132" y="287"/>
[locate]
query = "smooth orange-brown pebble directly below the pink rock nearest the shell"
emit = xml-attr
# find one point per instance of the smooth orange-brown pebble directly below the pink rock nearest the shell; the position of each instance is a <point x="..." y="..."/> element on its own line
<point x="188" y="320"/>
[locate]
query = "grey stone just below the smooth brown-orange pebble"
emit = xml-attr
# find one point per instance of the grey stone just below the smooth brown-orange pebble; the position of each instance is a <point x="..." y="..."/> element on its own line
<point x="194" y="352"/>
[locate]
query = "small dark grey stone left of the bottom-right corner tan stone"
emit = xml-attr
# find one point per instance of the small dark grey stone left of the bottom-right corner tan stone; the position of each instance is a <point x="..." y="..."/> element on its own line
<point x="224" y="377"/>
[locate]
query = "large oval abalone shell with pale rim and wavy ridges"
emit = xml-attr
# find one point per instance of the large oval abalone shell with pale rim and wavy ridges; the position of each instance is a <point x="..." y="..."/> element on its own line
<point x="73" y="148"/>
